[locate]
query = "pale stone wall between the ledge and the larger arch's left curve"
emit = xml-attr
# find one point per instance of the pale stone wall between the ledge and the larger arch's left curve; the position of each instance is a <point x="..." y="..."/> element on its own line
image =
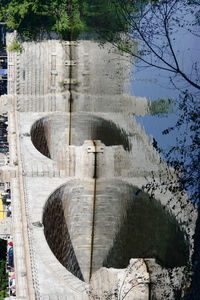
<point x="48" y="273"/>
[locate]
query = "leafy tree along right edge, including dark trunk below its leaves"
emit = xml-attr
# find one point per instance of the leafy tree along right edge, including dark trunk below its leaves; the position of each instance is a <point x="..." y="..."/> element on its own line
<point x="184" y="157"/>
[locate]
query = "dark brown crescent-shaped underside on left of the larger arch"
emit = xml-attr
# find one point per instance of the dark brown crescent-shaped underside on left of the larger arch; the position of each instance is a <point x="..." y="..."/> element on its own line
<point x="56" y="229"/>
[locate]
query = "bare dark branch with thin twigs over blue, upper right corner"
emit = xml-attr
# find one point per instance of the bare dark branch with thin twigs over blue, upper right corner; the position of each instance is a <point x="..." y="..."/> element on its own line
<point x="143" y="24"/>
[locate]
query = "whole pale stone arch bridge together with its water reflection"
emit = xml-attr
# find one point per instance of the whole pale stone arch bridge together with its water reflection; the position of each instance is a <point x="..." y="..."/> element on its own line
<point x="84" y="226"/>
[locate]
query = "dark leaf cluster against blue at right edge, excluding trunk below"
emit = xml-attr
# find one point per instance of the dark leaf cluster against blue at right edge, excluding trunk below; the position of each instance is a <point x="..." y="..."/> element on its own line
<point x="185" y="155"/>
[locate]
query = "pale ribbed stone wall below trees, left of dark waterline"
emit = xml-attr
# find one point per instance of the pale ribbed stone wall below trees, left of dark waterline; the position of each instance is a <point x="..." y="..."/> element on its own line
<point x="33" y="77"/>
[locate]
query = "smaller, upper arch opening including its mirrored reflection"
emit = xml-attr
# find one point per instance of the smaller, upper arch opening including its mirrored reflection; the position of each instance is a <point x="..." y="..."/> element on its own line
<point x="50" y="134"/>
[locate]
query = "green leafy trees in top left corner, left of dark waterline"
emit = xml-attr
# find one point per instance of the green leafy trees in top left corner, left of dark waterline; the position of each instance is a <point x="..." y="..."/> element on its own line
<point x="33" y="17"/>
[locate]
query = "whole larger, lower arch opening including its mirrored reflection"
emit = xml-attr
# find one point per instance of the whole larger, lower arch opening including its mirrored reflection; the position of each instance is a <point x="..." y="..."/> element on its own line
<point x="86" y="230"/>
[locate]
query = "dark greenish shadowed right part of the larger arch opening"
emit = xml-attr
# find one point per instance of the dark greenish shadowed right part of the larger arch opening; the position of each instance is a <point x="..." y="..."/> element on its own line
<point x="147" y="230"/>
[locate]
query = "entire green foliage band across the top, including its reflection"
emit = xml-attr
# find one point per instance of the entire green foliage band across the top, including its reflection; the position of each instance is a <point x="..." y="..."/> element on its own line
<point x="68" y="18"/>
